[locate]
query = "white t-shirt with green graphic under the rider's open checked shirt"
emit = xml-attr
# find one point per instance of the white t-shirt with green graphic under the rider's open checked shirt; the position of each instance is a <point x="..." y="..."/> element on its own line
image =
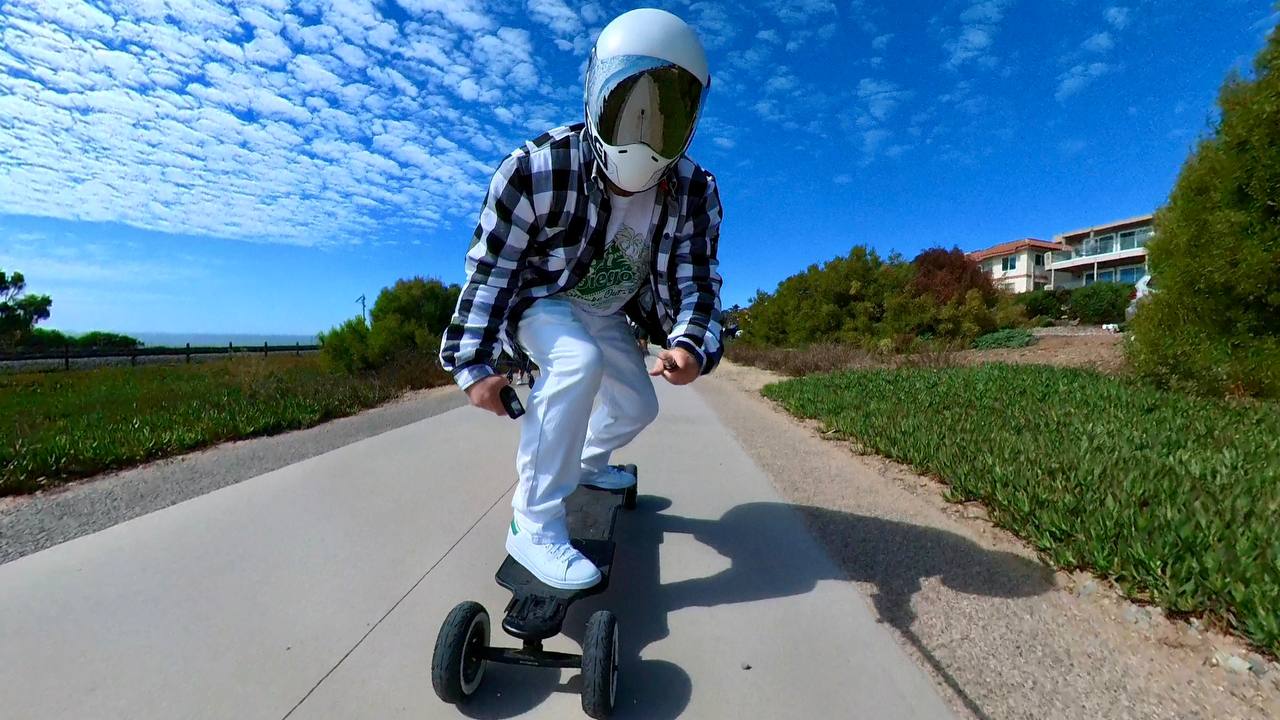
<point x="624" y="267"/>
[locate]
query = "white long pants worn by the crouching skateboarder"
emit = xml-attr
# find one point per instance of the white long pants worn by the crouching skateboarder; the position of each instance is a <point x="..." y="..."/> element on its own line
<point x="582" y="358"/>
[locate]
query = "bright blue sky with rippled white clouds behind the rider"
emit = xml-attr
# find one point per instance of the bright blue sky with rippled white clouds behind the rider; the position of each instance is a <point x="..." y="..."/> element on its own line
<point x="255" y="166"/>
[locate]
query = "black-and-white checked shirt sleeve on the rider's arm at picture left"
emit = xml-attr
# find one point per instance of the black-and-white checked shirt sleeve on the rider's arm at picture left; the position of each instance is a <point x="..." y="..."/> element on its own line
<point x="474" y="339"/>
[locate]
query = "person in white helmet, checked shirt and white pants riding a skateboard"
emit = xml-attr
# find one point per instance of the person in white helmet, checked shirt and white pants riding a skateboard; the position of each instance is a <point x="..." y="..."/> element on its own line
<point x="583" y="229"/>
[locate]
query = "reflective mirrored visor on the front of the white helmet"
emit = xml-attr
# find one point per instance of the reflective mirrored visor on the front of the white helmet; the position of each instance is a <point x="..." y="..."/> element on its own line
<point x="641" y="99"/>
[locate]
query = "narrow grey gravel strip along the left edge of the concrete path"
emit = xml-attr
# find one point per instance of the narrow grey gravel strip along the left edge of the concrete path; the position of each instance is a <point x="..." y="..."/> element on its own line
<point x="35" y="522"/>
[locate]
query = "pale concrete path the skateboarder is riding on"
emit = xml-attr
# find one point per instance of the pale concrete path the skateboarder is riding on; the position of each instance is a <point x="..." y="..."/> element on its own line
<point x="316" y="593"/>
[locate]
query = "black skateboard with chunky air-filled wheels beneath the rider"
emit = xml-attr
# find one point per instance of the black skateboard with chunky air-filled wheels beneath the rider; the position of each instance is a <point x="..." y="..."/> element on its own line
<point x="537" y="613"/>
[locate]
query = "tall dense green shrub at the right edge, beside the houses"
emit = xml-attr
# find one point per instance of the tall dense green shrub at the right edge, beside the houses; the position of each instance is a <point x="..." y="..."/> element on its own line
<point x="1214" y="325"/>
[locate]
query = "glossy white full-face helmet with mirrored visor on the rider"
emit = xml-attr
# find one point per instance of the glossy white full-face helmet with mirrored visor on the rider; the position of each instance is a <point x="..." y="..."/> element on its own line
<point x="646" y="86"/>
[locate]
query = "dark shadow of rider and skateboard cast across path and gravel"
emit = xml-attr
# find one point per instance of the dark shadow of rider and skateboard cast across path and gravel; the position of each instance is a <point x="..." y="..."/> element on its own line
<point x="893" y="557"/>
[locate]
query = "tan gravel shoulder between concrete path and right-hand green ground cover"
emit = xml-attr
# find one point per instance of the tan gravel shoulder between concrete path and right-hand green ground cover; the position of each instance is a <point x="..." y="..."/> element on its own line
<point x="1000" y="634"/>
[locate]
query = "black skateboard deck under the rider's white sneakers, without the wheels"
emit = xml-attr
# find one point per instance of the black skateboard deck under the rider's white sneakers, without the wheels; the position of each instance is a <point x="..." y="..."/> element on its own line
<point x="537" y="610"/>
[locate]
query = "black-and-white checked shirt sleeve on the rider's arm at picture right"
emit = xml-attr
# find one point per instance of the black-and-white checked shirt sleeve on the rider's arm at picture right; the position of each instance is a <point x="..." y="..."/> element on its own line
<point x="698" y="321"/>
